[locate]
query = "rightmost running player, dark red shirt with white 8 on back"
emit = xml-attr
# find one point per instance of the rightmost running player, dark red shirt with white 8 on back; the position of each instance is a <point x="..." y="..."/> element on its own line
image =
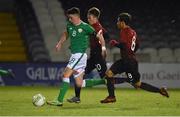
<point x="128" y="44"/>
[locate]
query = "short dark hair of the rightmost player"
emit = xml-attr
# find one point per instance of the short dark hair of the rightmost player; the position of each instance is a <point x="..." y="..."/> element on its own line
<point x="126" y="17"/>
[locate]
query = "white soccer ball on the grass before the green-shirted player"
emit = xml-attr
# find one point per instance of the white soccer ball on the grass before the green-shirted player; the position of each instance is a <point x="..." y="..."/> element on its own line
<point x="38" y="100"/>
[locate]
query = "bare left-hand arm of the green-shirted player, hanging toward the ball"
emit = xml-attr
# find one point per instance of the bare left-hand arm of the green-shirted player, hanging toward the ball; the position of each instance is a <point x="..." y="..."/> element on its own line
<point x="63" y="38"/>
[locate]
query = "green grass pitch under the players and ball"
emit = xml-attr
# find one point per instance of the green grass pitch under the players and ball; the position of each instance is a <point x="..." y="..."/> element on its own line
<point x="17" y="101"/>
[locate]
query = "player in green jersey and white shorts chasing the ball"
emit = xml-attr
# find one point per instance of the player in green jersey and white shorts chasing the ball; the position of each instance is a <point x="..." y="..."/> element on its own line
<point x="79" y="34"/>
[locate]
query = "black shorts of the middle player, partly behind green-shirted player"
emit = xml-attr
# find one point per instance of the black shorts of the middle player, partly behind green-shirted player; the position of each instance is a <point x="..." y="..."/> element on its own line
<point x="96" y="61"/>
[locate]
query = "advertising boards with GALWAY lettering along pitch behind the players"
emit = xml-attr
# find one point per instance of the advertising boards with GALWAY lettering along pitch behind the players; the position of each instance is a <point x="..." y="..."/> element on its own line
<point x="50" y="74"/>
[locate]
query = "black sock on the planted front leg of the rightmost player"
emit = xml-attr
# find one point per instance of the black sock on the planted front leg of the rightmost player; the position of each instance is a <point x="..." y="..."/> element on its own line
<point x="110" y="87"/>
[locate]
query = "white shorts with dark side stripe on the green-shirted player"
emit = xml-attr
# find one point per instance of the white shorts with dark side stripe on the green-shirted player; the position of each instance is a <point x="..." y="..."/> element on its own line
<point x="77" y="62"/>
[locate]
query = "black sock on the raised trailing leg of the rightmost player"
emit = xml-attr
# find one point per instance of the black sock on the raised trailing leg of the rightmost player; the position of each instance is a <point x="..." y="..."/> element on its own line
<point x="149" y="87"/>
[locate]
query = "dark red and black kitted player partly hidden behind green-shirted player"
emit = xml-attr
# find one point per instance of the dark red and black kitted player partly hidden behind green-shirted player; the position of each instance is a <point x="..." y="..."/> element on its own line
<point x="97" y="51"/>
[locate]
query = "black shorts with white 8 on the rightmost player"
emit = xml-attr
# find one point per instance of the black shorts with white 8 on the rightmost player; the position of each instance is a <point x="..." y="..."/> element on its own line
<point x="130" y="67"/>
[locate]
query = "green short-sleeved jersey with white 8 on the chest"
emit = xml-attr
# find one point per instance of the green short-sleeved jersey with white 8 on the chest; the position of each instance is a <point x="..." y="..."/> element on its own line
<point x="79" y="36"/>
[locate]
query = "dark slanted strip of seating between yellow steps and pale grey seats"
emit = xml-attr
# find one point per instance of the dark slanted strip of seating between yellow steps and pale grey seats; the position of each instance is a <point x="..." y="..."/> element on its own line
<point x="30" y="30"/>
